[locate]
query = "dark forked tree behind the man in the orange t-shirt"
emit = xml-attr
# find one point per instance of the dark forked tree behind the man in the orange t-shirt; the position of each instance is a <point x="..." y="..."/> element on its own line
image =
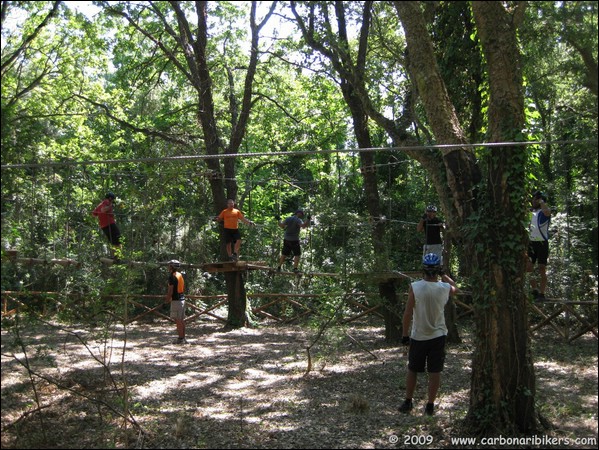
<point x="188" y="49"/>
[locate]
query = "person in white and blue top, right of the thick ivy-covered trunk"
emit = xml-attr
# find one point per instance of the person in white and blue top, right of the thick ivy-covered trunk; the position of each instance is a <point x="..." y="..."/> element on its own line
<point x="538" y="244"/>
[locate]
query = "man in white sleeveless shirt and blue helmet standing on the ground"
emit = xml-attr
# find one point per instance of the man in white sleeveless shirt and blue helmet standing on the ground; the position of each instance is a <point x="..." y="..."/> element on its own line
<point x="425" y="310"/>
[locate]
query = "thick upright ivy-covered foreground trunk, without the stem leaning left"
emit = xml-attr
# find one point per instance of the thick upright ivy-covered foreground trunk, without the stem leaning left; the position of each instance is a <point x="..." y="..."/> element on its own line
<point x="502" y="397"/>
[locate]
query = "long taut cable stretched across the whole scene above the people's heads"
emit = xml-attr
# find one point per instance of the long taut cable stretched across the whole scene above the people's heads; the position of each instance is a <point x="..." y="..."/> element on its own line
<point x="295" y="153"/>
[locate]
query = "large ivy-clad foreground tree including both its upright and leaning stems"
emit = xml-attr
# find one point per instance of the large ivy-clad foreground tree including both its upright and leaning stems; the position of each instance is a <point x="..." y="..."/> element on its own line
<point x="502" y="392"/>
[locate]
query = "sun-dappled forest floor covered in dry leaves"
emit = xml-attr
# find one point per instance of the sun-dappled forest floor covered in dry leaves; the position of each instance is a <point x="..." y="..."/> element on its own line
<point x="248" y="388"/>
